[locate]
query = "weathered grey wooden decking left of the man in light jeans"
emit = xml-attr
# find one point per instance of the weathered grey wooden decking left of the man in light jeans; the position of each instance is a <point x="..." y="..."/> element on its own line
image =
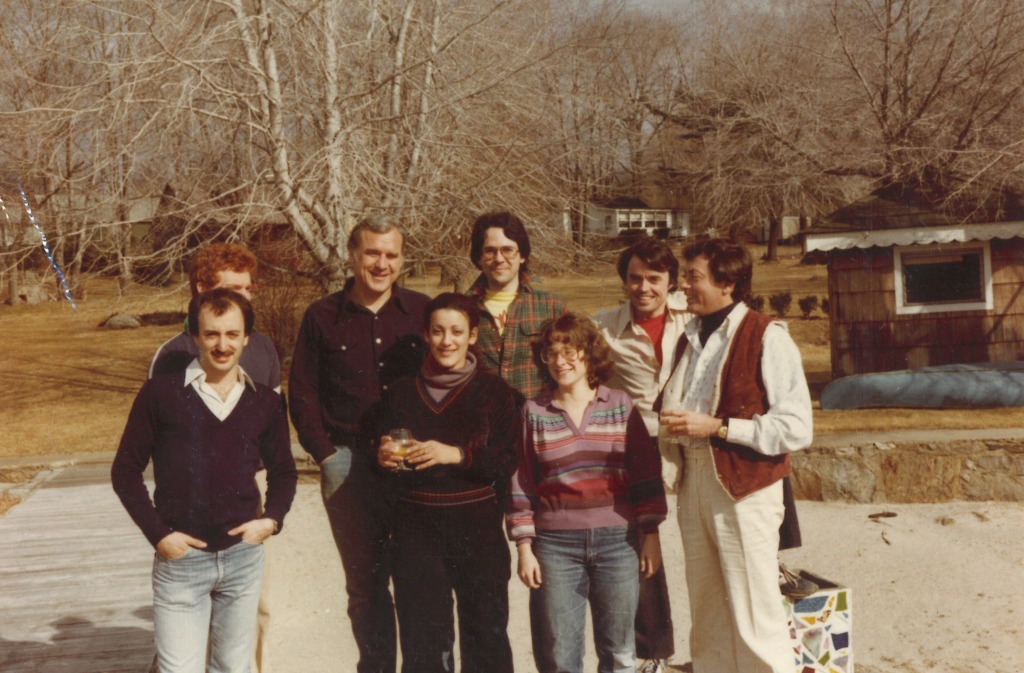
<point x="74" y="580"/>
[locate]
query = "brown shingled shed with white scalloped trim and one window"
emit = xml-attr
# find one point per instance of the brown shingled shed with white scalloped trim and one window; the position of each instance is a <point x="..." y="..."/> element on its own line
<point x="923" y="276"/>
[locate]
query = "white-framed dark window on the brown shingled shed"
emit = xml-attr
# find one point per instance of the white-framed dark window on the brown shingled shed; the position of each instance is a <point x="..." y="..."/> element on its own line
<point x="945" y="279"/>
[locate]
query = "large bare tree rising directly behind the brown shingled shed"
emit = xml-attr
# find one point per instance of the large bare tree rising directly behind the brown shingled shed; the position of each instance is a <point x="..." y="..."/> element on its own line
<point x="938" y="83"/>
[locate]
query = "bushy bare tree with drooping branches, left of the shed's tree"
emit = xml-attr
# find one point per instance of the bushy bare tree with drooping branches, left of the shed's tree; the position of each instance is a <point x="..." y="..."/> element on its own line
<point x="747" y="131"/>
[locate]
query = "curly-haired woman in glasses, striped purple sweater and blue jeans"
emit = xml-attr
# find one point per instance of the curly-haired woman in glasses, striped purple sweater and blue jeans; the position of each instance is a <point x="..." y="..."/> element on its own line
<point x="586" y="502"/>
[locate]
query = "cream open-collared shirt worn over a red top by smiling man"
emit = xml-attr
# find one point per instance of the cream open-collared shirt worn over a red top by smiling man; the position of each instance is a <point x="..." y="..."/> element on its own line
<point x="637" y="371"/>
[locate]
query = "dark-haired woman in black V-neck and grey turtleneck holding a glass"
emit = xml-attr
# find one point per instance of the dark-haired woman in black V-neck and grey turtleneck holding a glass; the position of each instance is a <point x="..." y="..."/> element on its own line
<point x="453" y="475"/>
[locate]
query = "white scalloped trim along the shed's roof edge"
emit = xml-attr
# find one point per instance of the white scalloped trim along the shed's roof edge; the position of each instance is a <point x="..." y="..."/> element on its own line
<point x="907" y="237"/>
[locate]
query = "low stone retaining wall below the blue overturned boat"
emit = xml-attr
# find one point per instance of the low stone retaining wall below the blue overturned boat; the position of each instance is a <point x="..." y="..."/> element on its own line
<point x="912" y="473"/>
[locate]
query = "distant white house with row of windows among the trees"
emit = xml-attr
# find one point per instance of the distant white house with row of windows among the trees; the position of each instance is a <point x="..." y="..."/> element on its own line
<point x="629" y="217"/>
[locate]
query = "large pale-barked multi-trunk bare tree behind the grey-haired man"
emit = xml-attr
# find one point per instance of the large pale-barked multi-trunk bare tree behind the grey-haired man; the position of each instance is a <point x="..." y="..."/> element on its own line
<point x="362" y="106"/>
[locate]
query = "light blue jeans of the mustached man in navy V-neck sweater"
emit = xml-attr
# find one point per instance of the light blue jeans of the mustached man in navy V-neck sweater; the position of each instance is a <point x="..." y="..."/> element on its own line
<point x="207" y="600"/>
